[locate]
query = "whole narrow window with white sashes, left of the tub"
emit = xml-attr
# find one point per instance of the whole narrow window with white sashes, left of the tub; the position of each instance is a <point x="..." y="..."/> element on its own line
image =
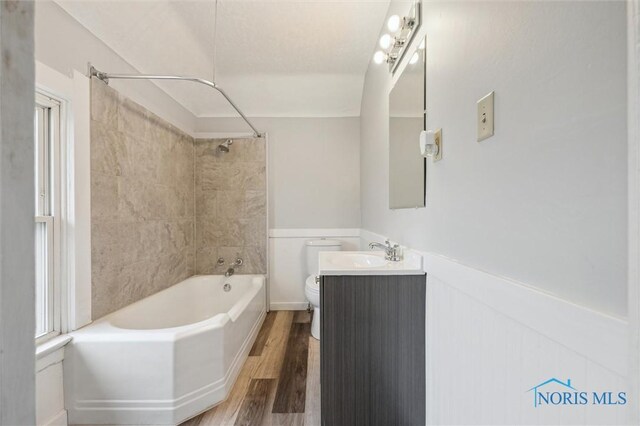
<point x="47" y="216"/>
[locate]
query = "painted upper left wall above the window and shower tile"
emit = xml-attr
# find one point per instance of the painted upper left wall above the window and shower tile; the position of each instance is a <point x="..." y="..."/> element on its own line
<point x="65" y="45"/>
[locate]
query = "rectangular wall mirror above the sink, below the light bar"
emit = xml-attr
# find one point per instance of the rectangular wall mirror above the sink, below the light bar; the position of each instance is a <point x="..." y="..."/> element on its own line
<point x="407" y="168"/>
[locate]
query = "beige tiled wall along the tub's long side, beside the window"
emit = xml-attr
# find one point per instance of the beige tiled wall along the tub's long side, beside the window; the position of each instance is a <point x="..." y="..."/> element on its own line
<point x="142" y="202"/>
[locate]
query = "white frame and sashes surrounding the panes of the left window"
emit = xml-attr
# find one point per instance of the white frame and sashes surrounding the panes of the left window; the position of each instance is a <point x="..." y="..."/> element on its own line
<point x="50" y="209"/>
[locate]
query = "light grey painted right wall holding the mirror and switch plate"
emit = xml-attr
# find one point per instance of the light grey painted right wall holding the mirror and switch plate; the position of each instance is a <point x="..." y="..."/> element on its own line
<point x="544" y="200"/>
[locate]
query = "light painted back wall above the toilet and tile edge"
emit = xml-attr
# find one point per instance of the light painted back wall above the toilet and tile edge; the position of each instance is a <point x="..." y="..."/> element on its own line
<point x="314" y="169"/>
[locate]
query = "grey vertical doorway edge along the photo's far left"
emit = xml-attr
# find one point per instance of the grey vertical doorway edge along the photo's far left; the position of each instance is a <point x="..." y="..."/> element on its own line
<point x="17" y="258"/>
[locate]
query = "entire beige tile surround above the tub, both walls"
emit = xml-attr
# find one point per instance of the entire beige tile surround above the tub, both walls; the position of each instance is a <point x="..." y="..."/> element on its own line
<point x="165" y="206"/>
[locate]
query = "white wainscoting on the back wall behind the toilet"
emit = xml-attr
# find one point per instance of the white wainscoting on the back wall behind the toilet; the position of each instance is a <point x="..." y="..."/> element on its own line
<point x="287" y="262"/>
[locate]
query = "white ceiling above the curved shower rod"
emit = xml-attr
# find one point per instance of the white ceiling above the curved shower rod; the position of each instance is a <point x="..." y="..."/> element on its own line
<point x="273" y="58"/>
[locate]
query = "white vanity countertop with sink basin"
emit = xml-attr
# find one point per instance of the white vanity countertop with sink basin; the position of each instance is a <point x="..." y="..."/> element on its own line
<point x="368" y="263"/>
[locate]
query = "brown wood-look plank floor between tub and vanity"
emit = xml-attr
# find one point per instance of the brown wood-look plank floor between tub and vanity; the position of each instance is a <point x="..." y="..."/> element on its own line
<point x="279" y="384"/>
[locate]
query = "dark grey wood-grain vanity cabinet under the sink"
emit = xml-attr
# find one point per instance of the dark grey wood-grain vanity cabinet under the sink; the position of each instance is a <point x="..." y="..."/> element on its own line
<point x="372" y="346"/>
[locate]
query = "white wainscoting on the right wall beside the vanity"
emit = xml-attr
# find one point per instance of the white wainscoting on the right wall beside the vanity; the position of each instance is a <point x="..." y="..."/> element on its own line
<point x="490" y="339"/>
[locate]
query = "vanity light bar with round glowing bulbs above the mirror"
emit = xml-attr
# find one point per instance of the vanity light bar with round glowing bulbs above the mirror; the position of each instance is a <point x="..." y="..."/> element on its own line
<point x="402" y="30"/>
